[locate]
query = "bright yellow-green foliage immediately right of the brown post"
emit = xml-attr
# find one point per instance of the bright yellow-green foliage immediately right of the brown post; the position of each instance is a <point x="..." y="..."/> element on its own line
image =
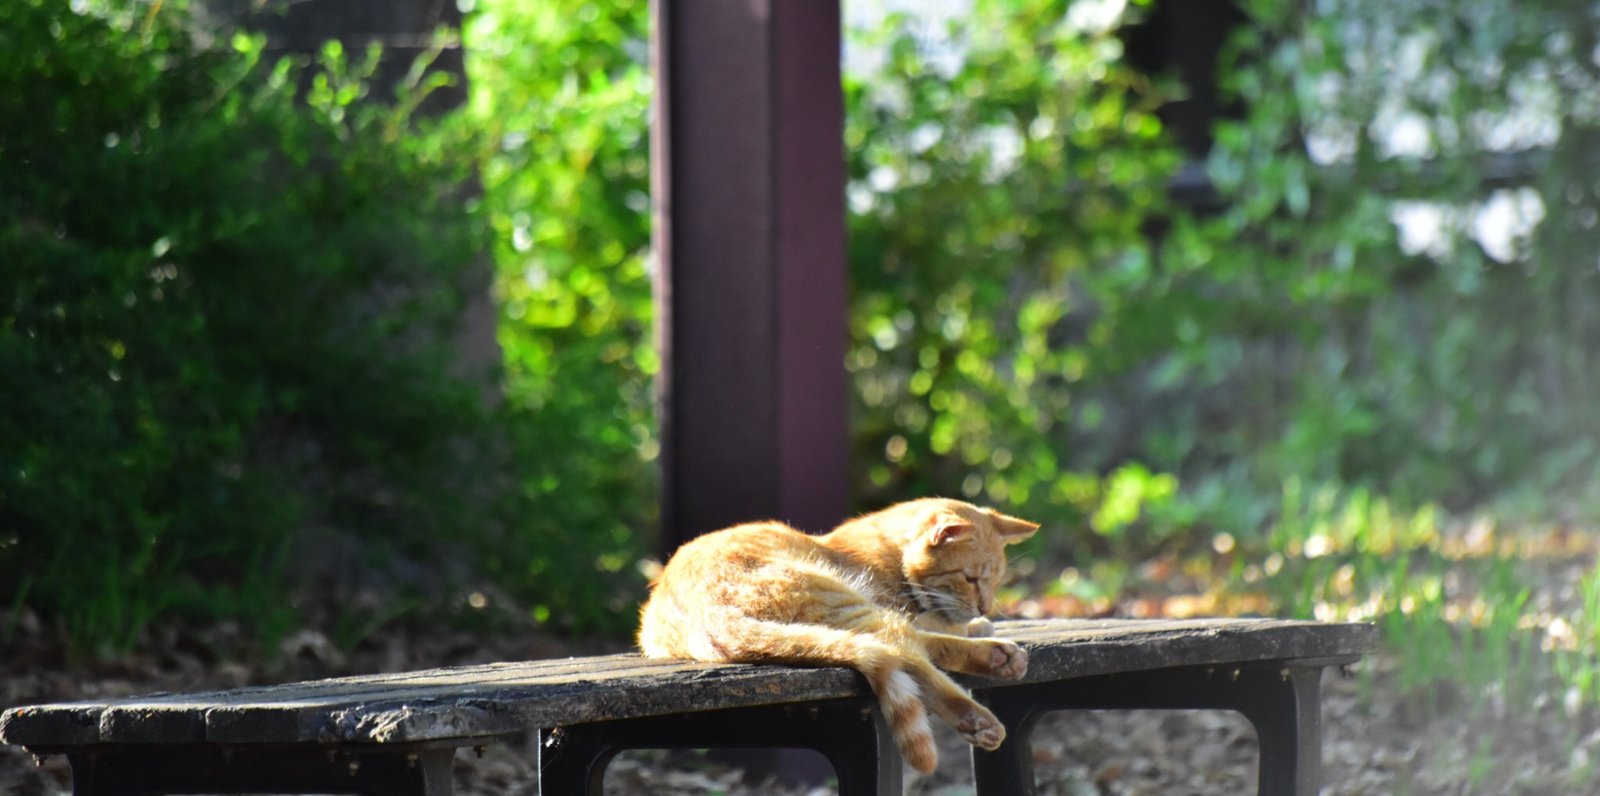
<point x="1001" y="178"/>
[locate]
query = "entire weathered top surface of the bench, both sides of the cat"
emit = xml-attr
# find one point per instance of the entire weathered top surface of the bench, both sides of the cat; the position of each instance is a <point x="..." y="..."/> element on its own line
<point x="465" y="704"/>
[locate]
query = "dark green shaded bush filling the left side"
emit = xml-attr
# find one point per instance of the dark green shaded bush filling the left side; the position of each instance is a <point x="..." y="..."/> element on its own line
<point x="225" y="322"/>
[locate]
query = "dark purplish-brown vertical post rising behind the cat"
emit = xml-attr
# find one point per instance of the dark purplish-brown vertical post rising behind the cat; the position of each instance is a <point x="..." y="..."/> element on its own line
<point x="750" y="178"/>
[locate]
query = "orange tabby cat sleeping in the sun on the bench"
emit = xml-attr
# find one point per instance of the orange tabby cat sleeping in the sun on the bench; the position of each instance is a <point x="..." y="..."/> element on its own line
<point x="892" y="595"/>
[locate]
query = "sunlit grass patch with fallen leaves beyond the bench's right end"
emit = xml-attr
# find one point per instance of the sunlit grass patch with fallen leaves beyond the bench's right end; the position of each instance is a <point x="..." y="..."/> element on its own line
<point x="1481" y="623"/>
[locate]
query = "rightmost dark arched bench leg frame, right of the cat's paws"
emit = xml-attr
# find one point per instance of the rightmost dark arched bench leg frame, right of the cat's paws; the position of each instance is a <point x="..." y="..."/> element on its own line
<point x="1282" y="701"/>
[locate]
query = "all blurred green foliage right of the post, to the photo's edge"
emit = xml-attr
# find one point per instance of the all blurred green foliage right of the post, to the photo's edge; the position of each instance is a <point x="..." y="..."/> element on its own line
<point x="1383" y="301"/>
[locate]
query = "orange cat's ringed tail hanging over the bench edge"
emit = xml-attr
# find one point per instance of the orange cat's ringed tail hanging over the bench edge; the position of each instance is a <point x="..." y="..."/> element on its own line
<point x="748" y="640"/>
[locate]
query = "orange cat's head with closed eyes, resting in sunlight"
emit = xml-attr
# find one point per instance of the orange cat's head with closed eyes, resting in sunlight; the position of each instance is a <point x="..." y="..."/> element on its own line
<point x="954" y="555"/>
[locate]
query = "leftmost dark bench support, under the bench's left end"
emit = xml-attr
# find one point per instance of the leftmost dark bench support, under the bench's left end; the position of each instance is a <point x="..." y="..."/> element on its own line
<point x="135" y="771"/>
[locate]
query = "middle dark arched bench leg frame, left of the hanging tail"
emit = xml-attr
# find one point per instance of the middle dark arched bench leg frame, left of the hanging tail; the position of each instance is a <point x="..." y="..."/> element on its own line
<point x="849" y="733"/>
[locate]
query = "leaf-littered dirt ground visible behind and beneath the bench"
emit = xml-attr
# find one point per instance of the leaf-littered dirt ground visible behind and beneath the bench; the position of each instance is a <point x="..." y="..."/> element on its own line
<point x="1374" y="744"/>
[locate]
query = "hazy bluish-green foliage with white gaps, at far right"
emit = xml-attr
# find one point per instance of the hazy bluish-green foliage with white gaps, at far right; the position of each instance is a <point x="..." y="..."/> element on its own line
<point x="1414" y="183"/>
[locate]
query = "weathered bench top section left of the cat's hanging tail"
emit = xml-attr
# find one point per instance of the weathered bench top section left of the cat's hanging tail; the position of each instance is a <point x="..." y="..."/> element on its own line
<point x="564" y="691"/>
